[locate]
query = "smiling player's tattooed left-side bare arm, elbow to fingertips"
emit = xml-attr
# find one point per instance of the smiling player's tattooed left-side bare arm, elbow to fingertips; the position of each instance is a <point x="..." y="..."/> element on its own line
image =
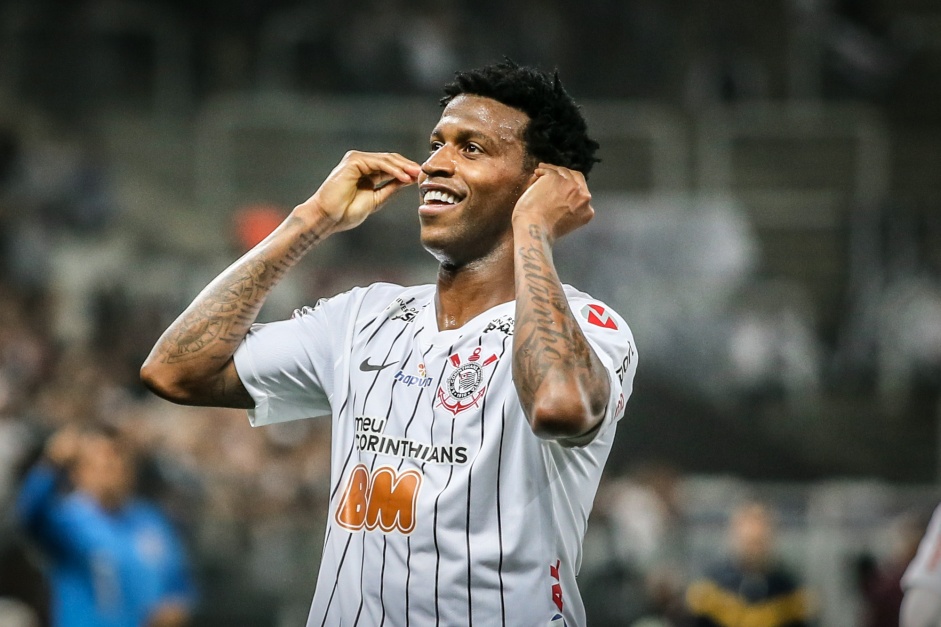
<point x="192" y="362"/>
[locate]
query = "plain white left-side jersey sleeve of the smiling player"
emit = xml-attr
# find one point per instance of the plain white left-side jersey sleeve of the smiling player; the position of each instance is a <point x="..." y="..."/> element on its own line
<point x="288" y="366"/>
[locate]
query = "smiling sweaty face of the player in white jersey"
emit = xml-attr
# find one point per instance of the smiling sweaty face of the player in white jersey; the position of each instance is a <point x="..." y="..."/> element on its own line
<point x="477" y="170"/>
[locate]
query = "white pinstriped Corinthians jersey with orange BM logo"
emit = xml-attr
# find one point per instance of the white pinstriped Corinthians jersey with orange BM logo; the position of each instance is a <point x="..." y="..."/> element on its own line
<point x="445" y="508"/>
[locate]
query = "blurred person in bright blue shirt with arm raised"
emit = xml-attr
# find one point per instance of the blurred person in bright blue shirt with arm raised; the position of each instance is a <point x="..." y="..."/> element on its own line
<point x="114" y="558"/>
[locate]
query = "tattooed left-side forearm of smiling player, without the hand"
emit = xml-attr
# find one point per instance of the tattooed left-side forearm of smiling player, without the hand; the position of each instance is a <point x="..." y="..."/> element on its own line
<point x="191" y="363"/>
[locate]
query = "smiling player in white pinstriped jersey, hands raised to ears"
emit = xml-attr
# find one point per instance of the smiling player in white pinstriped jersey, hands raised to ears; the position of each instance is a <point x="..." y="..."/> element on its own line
<point x="471" y="418"/>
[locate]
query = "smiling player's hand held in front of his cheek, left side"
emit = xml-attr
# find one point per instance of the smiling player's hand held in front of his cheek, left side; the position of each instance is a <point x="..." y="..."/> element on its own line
<point x="358" y="186"/>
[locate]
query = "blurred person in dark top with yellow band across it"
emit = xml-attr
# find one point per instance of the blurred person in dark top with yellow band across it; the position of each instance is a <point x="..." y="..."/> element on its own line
<point x="750" y="588"/>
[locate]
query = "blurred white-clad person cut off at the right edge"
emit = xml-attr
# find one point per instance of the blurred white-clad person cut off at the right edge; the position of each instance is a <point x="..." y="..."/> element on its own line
<point x="921" y="604"/>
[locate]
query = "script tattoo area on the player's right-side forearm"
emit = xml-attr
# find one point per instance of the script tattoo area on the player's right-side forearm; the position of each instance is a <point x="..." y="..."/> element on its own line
<point x="548" y="340"/>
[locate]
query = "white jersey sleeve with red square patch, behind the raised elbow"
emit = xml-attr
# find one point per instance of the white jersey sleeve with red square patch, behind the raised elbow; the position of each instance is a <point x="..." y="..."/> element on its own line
<point x="613" y="343"/>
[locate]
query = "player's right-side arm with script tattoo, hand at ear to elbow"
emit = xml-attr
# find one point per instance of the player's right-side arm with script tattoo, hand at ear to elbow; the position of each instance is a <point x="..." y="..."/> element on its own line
<point x="561" y="382"/>
